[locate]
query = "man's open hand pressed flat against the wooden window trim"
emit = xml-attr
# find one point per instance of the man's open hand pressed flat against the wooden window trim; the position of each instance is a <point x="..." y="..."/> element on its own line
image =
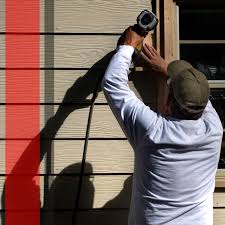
<point x="154" y="60"/>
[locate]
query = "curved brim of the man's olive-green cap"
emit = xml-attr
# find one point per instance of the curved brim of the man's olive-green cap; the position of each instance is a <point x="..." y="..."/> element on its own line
<point x="177" y="66"/>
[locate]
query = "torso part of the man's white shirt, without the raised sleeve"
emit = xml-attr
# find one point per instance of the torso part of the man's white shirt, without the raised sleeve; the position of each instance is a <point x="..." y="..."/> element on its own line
<point x="175" y="166"/>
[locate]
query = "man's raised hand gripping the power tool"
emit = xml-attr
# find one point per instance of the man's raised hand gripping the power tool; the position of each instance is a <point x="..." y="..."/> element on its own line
<point x="130" y="37"/>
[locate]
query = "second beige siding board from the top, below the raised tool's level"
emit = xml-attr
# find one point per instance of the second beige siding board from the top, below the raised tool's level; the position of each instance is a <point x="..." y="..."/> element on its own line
<point x="70" y="51"/>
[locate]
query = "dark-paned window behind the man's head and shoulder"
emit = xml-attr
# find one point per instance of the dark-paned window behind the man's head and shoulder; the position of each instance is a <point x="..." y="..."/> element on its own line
<point x="202" y="43"/>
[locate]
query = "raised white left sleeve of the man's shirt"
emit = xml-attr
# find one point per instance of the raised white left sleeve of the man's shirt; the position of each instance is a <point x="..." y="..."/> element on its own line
<point x="134" y="117"/>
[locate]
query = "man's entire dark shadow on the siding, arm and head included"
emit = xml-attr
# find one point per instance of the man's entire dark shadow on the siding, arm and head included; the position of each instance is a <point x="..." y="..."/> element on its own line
<point x="63" y="189"/>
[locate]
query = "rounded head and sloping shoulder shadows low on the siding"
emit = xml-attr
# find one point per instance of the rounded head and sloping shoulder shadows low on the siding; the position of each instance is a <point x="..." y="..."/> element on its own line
<point x="63" y="193"/>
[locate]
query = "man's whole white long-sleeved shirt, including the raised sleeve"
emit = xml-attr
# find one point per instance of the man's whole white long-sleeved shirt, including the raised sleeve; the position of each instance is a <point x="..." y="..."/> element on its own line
<point x="175" y="160"/>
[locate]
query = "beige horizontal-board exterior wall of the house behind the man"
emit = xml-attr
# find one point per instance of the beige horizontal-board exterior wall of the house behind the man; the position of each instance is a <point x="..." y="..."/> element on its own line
<point x="76" y="37"/>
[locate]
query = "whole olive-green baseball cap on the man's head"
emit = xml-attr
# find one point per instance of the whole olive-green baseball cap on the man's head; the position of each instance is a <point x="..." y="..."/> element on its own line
<point x="190" y="86"/>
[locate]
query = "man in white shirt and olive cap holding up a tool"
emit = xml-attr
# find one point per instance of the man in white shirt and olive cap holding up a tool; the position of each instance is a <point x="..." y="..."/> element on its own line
<point x="176" y="155"/>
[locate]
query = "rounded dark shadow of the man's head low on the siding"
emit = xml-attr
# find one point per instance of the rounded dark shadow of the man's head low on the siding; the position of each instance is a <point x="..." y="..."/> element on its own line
<point x="64" y="192"/>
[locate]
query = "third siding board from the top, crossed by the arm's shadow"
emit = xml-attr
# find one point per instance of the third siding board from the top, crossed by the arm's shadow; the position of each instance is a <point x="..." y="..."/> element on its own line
<point x="54" y="85"/>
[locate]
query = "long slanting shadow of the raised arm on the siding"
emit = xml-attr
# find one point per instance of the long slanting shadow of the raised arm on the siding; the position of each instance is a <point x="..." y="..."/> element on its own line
<point x="75" y="98"/>
